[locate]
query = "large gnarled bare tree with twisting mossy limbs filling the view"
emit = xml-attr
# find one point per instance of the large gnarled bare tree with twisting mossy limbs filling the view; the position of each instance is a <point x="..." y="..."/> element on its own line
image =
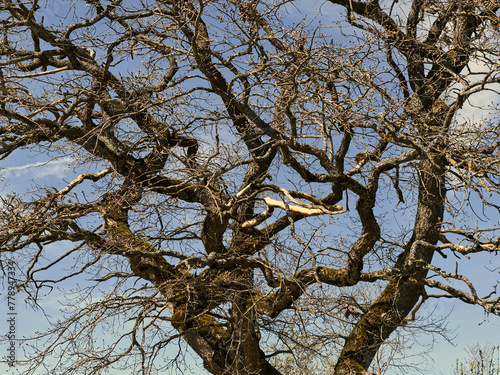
<point x="241" y="172"/>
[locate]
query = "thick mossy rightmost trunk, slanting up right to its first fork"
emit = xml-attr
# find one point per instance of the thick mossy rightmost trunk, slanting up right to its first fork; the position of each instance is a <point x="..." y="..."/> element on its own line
<point x="401" y="295"/>
